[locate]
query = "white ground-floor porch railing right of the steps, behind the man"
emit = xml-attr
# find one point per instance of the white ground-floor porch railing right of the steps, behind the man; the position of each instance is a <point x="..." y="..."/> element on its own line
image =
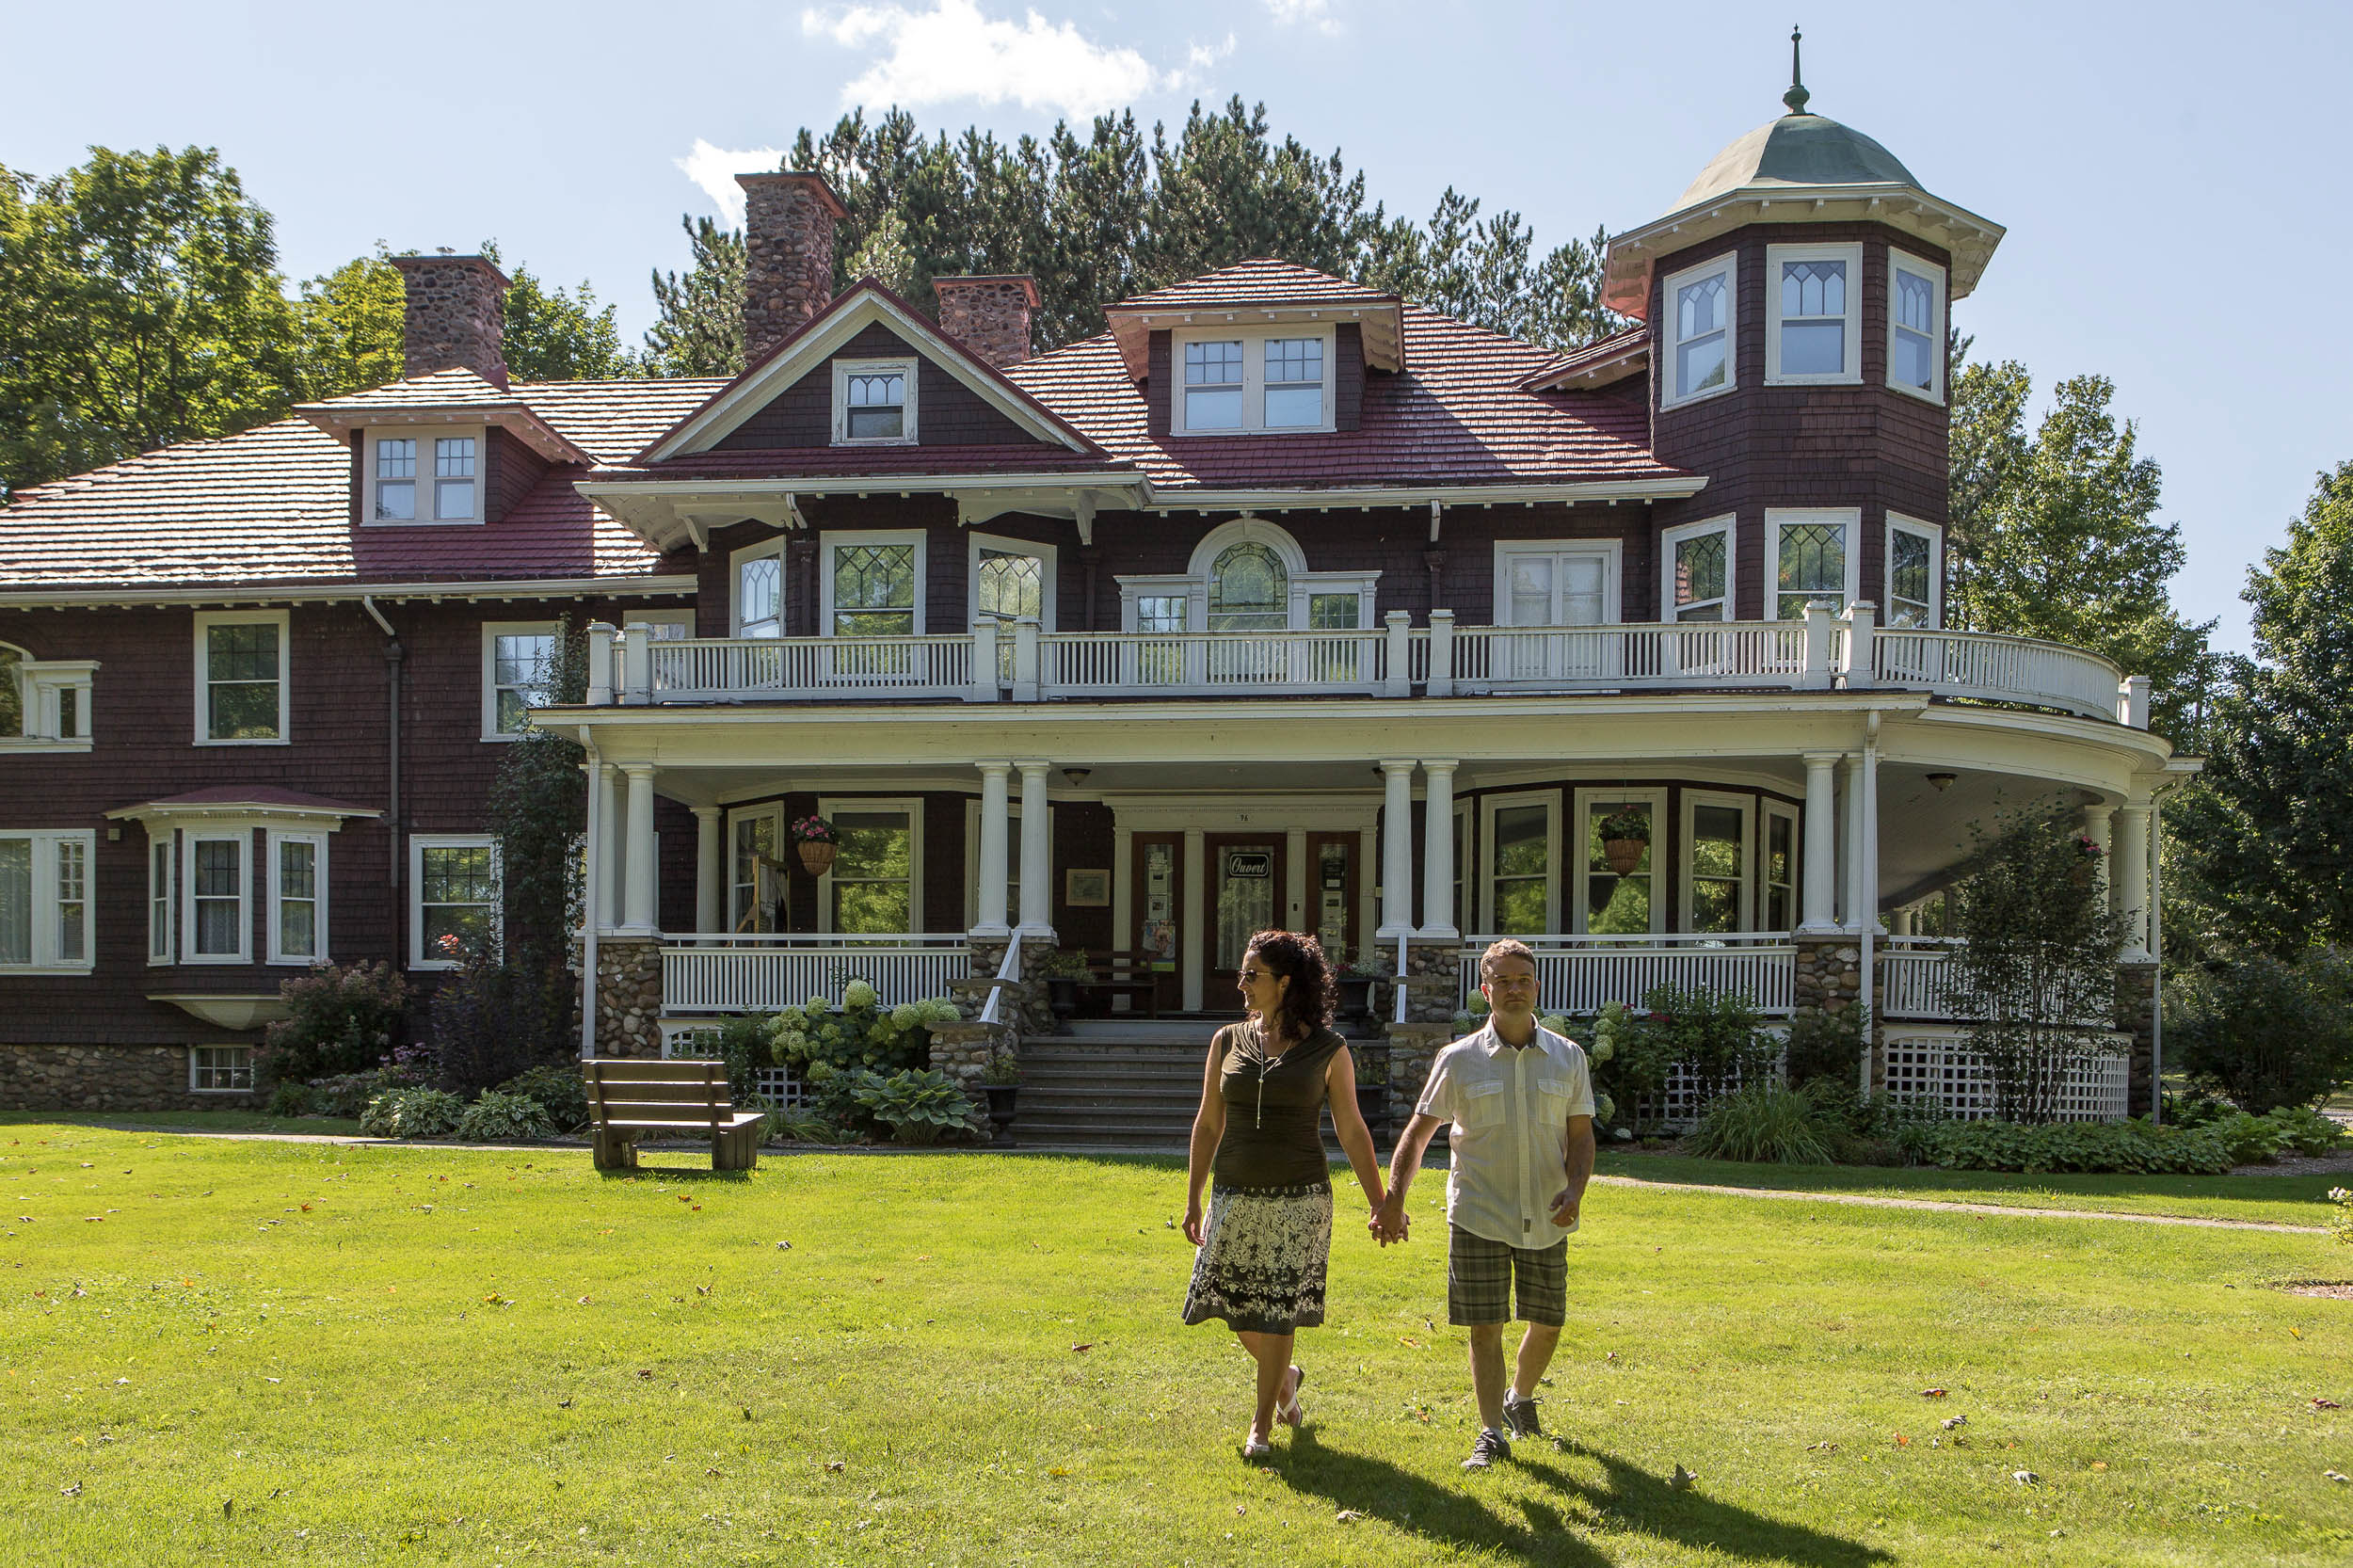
<point x="1585" y="974"/>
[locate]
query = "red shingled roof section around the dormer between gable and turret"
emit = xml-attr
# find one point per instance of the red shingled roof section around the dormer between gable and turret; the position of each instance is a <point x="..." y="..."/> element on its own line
<point x="1453" y="418"/>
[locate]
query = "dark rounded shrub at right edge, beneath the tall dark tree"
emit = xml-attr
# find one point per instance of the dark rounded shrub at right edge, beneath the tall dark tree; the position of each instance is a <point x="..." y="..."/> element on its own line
<point x="2265" y="1032"/>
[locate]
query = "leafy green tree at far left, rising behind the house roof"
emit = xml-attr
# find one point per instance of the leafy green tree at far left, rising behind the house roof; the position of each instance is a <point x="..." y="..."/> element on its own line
<point x="140" y="305"/>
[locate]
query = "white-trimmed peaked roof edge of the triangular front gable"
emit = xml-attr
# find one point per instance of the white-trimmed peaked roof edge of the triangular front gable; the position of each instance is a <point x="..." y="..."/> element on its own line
<point x="829" y="333"/>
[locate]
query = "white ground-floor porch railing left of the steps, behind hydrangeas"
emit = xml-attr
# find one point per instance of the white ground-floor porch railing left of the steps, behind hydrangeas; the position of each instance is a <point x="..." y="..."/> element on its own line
<point x="785" y="971"/>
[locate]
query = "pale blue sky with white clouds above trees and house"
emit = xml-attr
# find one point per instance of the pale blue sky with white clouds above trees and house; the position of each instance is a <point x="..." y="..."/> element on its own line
<point x="2171" y="175"/>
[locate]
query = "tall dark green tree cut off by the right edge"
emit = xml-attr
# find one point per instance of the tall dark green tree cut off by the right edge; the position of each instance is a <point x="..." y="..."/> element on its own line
<point x="2262" y="844"/>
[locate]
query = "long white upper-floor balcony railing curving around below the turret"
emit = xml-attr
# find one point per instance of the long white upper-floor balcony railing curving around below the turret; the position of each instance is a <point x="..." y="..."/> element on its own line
<point x="1441" y="660"/>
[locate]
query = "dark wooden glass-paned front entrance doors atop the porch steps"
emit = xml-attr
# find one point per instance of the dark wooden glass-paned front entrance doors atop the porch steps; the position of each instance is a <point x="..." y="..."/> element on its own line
<point x="1246" y="889"/>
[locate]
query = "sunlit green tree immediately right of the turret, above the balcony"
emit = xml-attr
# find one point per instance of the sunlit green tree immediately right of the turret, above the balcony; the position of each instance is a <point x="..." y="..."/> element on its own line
<point x="2055" y="536"/>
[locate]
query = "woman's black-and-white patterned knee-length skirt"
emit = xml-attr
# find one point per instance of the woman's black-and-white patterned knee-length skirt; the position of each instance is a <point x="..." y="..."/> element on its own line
<point x="1262" y="1258"/>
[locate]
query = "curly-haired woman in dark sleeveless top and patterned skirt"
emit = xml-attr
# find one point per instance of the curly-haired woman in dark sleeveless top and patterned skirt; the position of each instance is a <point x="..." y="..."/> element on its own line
<point x="1260" y="1131"/>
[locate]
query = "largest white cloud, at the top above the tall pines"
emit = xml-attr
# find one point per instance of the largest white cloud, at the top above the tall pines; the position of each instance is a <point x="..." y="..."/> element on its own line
<point x="956" y="53"/>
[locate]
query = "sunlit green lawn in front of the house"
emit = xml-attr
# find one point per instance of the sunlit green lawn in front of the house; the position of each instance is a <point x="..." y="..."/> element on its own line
<point x="225" y="1350"/>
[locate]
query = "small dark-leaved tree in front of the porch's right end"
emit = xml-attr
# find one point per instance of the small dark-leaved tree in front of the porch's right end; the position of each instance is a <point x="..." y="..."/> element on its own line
<point x="2037" y="964"/>
